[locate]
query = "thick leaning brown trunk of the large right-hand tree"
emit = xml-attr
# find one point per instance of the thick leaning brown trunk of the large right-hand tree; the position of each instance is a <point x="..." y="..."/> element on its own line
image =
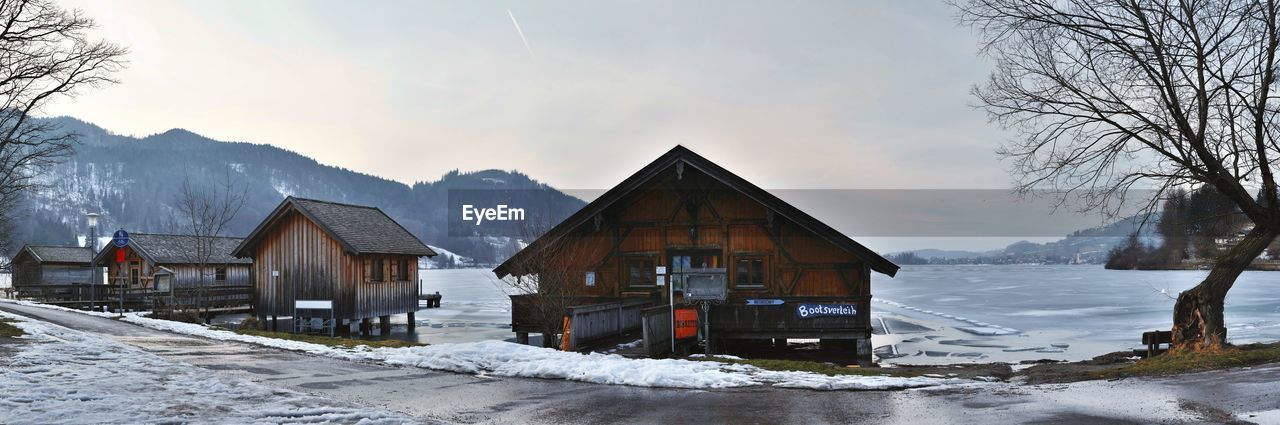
<point x="1199" y="323"/>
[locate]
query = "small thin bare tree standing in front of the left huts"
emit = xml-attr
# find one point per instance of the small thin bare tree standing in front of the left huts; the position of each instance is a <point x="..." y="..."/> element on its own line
<point x="204" y="213"/>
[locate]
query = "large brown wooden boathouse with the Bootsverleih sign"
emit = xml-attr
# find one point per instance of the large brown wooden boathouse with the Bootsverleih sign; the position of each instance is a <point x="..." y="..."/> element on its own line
<point x="788" y="275"/>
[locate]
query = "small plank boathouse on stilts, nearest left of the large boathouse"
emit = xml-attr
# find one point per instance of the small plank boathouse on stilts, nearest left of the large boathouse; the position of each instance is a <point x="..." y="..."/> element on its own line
<point x="354" y="257"/>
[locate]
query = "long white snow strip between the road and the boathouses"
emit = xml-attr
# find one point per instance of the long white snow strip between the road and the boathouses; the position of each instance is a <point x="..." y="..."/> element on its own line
<point x="504" y="359"/>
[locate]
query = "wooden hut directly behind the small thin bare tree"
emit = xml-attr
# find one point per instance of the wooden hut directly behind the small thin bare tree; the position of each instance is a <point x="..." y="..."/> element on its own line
<point x="175" y="272"/>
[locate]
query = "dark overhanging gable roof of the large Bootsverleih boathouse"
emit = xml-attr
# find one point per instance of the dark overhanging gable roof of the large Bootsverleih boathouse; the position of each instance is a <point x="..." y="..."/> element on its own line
<point x="683" y="156"/>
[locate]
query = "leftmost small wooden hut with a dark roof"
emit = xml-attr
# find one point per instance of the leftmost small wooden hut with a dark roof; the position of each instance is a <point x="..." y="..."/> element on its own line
<point x="49" y="269"/>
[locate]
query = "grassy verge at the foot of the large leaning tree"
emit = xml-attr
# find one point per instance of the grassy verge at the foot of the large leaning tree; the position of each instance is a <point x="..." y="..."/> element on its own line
<point x="1168" y="364"/>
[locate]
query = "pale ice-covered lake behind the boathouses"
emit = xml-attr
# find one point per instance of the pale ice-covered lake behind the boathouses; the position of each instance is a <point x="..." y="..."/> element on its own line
<point x="947" y="314"/>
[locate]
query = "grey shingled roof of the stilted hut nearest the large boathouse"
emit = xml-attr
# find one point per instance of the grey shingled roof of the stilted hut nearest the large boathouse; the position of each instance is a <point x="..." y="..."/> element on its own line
<point x="360" y="230"/>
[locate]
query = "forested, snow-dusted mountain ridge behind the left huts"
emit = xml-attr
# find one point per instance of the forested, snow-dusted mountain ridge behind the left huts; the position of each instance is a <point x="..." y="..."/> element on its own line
<point x="134" y="182"/>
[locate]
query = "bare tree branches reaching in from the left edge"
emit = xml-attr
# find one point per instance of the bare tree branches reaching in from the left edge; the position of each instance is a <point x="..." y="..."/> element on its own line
<point x="45" y="54"/>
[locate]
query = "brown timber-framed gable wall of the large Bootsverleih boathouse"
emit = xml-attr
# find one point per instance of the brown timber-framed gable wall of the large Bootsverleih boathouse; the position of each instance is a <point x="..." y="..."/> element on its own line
<point x="698" y="214"/>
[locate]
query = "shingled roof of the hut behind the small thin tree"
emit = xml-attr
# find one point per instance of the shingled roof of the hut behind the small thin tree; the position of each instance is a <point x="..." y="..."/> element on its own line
<point x="177" y="249"/>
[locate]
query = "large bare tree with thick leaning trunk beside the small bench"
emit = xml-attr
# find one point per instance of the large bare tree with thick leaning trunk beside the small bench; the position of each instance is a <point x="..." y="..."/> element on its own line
<point x="1107" y="97"/>
